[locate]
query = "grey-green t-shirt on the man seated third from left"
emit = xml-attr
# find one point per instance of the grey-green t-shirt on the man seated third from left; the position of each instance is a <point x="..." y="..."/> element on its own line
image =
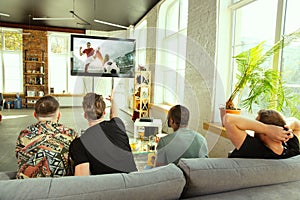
<point x="183" y="143"/>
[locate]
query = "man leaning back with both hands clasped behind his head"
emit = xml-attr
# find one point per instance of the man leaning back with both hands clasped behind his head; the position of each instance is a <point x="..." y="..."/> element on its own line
<point x="272" y="138"/>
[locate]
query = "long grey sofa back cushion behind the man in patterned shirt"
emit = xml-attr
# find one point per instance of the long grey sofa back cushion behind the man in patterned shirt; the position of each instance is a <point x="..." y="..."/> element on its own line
<point x="166" y="182"/>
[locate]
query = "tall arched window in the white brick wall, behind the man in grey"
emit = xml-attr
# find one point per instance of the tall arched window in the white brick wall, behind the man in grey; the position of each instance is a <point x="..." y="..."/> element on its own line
<point x="171" y="48"/>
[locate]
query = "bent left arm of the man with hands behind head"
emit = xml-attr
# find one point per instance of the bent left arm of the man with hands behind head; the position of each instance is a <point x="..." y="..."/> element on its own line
<point x="236" y="126"/>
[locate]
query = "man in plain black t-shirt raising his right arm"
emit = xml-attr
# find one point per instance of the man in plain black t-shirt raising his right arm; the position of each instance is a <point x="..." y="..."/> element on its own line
<point x="104" y="147"/>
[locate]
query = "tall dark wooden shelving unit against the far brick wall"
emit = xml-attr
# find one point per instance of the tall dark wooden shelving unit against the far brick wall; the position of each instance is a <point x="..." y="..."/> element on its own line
<point x="34" y="76"/>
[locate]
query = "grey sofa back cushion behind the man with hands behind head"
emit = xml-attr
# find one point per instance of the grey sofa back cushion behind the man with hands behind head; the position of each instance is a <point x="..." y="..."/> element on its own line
<point x="215" y="175"/>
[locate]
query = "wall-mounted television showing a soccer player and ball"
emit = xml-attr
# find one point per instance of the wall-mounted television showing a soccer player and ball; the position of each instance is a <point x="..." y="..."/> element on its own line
<point x="102" y="56"/>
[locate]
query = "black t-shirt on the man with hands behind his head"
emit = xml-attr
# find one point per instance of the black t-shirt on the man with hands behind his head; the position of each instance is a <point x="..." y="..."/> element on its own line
<point x="254" y="148"/>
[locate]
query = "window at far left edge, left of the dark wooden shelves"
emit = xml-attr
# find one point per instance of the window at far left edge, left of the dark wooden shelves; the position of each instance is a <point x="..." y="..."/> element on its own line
<point x="11" y="70"/>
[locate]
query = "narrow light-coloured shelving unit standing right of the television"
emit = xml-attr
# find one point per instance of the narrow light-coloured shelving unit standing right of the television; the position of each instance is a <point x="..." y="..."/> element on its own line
<point x="141" y="98"/>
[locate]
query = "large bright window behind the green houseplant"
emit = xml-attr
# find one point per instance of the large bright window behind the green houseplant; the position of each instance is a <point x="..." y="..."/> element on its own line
<point x="269" y="21"/>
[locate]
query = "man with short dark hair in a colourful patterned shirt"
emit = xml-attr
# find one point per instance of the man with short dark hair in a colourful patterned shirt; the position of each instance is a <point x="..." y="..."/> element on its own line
<point x="42" y="149"/>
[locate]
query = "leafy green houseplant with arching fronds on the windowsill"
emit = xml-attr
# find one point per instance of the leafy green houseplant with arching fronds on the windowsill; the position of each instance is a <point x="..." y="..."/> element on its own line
<point x="264" y="85"/>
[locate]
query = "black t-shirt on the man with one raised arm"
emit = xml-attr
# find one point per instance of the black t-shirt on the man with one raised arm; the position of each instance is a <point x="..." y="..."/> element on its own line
<point x="106" y="147"/>
